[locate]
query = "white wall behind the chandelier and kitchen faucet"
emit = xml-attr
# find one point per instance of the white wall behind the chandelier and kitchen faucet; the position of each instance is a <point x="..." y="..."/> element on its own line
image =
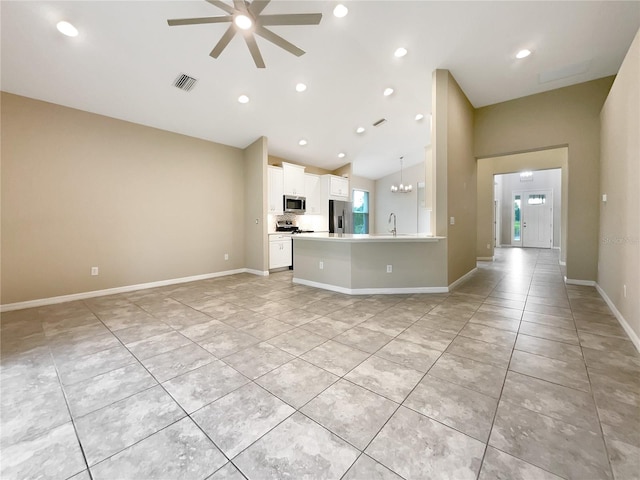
<point x="404" y="205"/>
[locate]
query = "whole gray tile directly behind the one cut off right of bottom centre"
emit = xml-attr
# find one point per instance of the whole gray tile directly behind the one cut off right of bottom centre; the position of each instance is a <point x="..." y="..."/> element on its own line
<point x="465" y="410"/>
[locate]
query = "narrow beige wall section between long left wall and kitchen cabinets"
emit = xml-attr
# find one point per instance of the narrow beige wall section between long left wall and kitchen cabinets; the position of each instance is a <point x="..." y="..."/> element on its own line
<point x="255" y="201"/>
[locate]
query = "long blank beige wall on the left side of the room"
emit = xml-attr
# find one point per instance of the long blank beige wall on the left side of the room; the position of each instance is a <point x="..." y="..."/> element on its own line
<point x="82" y="190"/>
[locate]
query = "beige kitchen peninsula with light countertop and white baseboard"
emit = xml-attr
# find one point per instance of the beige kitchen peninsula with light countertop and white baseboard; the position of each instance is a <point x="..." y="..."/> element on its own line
<point x="371" y="264"/>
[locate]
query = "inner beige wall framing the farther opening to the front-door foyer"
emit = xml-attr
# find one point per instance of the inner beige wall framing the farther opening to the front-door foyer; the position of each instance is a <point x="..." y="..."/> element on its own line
<point x="488" y="167"/>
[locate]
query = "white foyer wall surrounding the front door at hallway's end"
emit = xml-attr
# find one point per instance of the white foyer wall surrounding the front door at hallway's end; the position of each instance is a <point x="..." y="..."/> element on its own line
<point x="542" y="180"/>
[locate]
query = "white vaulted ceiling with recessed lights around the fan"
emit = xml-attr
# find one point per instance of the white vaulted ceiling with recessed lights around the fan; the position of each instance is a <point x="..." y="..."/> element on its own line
<point x="126" y="58"/>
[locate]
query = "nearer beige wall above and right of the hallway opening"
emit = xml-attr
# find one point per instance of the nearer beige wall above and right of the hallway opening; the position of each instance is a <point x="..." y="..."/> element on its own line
<point x="564" y="117"/>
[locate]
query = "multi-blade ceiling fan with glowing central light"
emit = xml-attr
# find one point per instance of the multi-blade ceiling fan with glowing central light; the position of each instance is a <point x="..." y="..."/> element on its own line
<point x="247" y="19"/>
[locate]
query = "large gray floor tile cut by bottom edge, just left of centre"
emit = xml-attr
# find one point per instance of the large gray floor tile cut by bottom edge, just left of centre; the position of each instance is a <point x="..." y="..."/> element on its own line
<point x="297" y="448"/>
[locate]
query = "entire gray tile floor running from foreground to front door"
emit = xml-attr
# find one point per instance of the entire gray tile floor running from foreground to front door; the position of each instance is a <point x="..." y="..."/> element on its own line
<point x="513" y="376"/>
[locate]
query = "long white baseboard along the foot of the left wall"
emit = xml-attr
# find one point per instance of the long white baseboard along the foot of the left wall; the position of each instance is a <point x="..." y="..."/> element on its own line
<point x="112" y="291"/>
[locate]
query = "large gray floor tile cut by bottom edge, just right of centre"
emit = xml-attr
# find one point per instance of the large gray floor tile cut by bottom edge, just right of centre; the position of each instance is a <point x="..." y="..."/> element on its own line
<point x="415" y="446"/>
